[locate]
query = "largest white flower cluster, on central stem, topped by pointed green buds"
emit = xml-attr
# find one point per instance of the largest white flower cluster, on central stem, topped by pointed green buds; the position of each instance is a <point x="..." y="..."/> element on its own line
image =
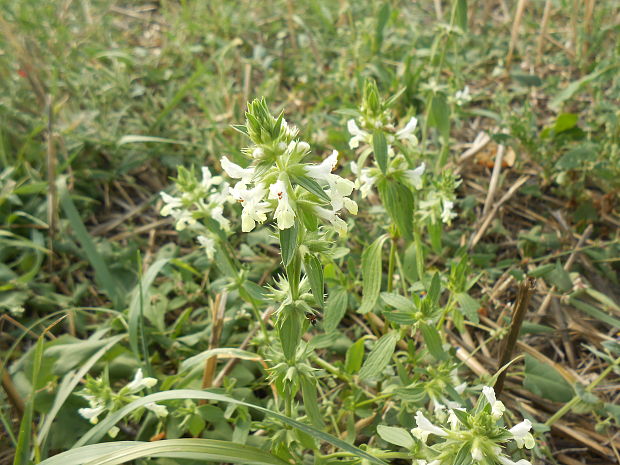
<point x="278" y="183"/>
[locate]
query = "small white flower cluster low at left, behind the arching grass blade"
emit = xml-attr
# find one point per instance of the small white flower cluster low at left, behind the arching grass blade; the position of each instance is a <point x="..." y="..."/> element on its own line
<point x="101" y="398"/>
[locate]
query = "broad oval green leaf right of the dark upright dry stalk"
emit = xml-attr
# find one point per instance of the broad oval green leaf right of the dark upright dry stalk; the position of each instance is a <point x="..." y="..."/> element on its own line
<point x="543" y="380"/>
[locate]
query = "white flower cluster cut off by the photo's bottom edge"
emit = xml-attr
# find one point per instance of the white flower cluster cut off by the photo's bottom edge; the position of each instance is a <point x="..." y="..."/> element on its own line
<point x="481" y="433"/>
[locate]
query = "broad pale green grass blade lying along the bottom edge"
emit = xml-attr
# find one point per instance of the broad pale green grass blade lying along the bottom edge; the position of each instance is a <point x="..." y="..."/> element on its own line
<point x="201" y="450"/>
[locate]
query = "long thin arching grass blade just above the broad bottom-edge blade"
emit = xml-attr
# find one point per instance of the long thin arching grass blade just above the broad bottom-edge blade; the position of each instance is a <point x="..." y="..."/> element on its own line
<point x="98" y="431"/>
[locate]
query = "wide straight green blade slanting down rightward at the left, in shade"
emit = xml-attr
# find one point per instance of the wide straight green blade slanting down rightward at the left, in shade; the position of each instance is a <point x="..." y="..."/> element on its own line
<point x="102" y="273"/>
